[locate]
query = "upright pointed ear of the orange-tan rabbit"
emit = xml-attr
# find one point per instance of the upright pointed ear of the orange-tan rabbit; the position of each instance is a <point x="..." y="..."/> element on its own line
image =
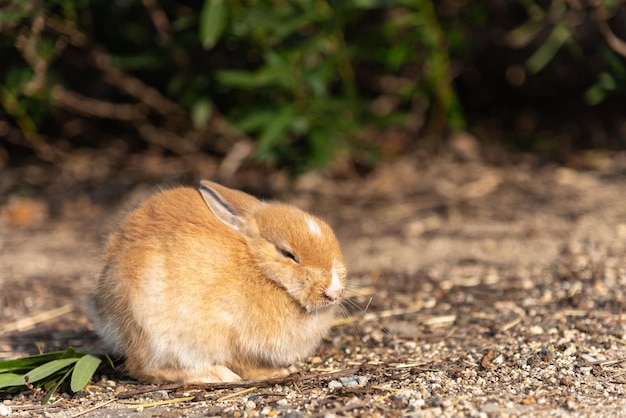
<point x="232" y="207"/>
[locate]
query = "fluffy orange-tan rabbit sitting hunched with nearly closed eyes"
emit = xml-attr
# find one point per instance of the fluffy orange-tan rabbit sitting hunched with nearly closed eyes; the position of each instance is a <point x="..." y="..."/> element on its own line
<point x="214" y="285"/>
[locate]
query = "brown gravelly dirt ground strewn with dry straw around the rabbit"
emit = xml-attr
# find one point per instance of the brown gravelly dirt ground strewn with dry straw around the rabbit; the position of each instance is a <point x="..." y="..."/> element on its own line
<point x="475" y="290"/>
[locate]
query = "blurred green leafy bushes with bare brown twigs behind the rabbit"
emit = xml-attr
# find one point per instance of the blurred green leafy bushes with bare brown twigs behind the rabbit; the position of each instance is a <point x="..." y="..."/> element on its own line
<point x="306" y="79"/>
